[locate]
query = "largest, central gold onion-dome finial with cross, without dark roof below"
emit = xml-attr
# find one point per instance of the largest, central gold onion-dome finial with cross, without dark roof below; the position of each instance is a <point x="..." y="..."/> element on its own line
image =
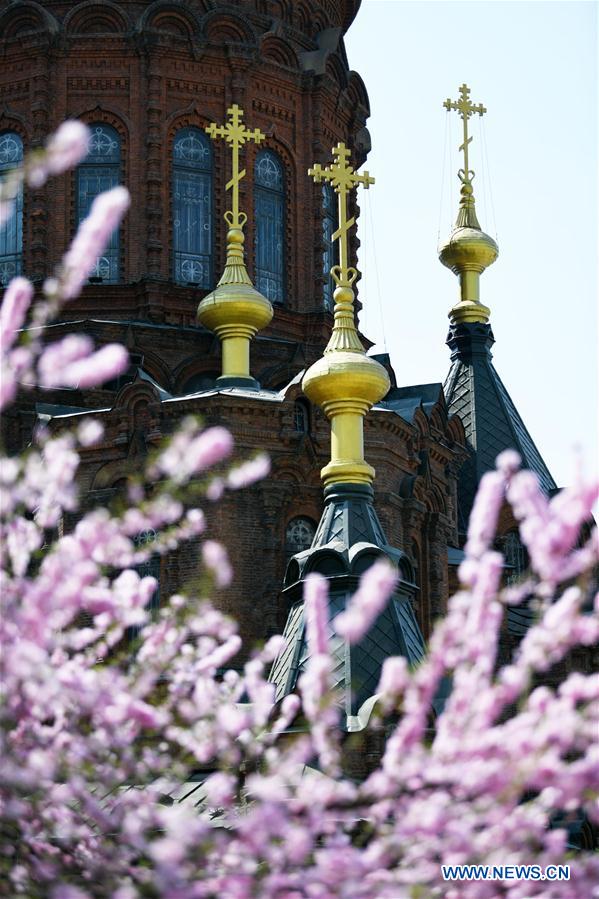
<point x="345" y="382"/>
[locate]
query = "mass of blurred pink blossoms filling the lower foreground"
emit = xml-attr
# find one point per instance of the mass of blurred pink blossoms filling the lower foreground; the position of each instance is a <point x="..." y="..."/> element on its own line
<point x="99" y="735"/>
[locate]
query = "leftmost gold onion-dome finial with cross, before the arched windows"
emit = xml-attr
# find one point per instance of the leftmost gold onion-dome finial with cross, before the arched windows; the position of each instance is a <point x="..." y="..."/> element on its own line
<point x="235" y="310"/>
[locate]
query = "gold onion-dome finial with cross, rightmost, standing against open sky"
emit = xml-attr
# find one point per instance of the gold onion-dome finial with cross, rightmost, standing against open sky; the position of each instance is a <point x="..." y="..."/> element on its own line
<point x="468" y="251"/>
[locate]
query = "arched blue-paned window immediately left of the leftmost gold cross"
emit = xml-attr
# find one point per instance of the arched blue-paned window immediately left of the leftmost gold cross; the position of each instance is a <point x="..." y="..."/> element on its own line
<point x="192" y="208"/>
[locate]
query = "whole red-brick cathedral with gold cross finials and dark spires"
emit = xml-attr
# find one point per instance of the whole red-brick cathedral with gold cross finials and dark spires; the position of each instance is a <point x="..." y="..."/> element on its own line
<point x="233" y="284"/>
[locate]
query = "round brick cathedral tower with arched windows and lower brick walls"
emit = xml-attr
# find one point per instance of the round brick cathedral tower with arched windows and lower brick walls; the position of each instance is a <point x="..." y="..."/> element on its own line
<point x="148" y="78"/>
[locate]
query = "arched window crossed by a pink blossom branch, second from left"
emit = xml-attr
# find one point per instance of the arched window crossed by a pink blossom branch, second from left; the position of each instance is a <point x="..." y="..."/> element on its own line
<point x="100" y="171"/>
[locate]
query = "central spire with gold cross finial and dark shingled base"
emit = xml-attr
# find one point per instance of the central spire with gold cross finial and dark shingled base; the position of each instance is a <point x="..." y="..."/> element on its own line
<point x="346" y="383"/>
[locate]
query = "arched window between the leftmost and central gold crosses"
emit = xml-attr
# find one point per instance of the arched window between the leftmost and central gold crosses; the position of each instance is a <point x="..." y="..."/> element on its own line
<point x="269" y="215"/>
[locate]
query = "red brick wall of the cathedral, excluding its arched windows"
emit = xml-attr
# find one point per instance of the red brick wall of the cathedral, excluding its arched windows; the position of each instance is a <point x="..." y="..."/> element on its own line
<point x="147" y="77"/>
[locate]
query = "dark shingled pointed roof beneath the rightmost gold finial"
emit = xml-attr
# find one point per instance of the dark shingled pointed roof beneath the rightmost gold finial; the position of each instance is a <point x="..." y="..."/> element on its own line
<point x="475" y="392"/>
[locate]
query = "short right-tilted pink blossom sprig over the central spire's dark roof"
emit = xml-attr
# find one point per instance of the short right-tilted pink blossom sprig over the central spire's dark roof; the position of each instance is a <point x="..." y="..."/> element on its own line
<point x="376" y="586"/>
